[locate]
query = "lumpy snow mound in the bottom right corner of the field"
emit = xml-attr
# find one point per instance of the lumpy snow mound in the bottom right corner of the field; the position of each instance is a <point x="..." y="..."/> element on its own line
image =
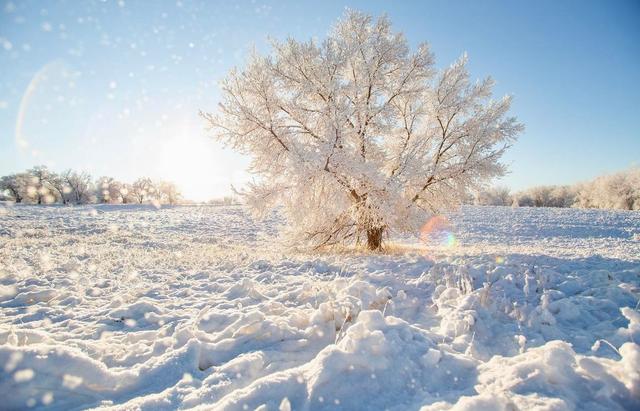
<point x="553" y="377"/>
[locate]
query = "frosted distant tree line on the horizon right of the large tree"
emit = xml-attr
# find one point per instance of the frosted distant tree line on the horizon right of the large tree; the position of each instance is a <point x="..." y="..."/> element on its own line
<point x="614" y="191"/>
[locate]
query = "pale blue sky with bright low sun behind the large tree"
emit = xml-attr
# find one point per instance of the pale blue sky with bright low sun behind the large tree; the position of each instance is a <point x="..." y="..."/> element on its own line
<point x="114" y="87"/>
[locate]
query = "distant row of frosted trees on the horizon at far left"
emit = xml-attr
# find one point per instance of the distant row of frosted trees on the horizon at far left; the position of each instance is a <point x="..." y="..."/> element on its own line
<point x="39" y="185"/>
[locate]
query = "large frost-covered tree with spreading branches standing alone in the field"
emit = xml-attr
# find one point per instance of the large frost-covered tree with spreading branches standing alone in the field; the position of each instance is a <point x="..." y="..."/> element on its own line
<point x="358" y="136"/>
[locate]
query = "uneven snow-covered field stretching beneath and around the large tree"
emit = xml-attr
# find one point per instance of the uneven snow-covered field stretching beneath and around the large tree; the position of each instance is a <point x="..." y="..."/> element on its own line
<point x="129" y="307"/>
